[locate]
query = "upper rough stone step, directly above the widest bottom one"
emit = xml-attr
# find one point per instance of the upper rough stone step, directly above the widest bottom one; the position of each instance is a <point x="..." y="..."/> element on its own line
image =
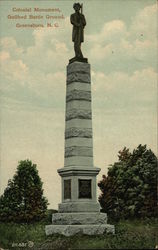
<point x="79" y="218"/>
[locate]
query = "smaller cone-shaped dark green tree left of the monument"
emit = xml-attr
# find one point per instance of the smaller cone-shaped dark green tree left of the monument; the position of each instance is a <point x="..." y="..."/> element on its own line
<point x="23" y="199"/>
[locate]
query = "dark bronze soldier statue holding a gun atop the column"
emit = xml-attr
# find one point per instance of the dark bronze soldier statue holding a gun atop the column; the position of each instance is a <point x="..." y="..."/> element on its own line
<point x="78" y="21"/>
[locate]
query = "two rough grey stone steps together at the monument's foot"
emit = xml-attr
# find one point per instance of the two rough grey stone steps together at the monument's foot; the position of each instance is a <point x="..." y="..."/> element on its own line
<point x="69" y="224"/>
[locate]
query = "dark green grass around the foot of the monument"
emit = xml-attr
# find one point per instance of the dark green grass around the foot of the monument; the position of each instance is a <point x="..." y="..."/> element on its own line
<point x="134" y="234"/>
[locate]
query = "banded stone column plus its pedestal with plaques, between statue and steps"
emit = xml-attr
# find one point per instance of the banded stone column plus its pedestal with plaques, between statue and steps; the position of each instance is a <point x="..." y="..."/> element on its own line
<point x="79" y="173"/>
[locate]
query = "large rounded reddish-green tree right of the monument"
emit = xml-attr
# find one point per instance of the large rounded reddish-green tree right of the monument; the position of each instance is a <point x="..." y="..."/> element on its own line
<point x="130" y="188"/>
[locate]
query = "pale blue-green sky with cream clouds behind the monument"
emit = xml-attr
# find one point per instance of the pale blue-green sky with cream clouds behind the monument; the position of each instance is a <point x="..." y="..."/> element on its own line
<point x="120" y="44"/>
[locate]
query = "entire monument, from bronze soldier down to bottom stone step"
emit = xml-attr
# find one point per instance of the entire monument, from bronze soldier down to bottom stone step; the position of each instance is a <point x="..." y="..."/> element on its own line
<point x="79" y="211"/>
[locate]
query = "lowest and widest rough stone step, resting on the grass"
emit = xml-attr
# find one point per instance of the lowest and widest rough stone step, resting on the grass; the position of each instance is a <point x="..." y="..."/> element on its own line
<point x="69" y="230"/>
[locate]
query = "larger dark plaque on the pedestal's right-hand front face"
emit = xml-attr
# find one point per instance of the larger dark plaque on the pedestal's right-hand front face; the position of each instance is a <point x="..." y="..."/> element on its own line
<point x="85" y="189"/>
